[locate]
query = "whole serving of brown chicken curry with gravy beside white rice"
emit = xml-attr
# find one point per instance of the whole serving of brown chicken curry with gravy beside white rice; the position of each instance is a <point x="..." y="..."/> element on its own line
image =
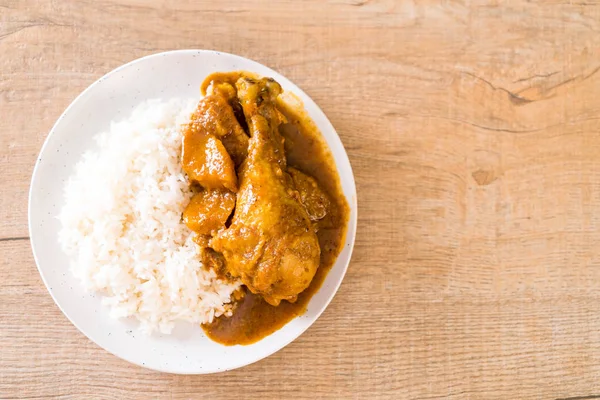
<point x="268" y="208"/>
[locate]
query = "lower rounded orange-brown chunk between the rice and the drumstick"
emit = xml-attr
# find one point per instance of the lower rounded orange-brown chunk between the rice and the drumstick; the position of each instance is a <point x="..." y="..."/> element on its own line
<point x="208" y="211"/>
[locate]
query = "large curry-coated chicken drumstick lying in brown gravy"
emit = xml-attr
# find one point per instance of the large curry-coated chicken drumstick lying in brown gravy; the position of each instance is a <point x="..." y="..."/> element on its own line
<point x="270" y="244"/>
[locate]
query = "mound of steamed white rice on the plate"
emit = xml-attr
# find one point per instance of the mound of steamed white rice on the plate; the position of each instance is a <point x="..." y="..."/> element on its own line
<point x="122" y="229"/>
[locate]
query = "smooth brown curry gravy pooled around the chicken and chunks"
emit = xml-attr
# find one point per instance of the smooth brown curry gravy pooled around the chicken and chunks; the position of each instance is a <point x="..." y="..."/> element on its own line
<point x="306" y="150"/>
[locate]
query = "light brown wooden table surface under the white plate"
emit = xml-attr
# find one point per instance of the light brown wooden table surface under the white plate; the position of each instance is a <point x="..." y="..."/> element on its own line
<point x="474" y="133"/>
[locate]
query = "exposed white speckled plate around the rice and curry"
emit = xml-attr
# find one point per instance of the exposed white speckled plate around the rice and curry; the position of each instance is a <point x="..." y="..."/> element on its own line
<point x="164" y="75"/>
